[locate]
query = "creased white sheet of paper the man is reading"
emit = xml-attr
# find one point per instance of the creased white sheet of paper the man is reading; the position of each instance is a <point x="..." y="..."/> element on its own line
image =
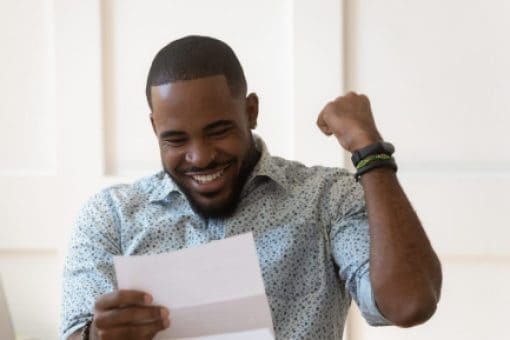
<point x="212" y="289"/>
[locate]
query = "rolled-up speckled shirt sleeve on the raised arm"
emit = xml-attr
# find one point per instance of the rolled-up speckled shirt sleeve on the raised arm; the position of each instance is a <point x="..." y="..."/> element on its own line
<point x="350" y="248"/>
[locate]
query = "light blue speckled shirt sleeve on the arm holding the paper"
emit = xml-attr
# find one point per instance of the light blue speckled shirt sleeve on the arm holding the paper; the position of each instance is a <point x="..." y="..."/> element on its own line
<point x="88" y="267"/>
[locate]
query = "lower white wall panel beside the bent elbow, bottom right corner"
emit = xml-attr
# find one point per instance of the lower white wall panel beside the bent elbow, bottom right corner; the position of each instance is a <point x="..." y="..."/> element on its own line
<point x="473" y="305"/>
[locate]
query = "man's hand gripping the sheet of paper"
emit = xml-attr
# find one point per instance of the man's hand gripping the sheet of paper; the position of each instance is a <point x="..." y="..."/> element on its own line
<point x="127" y="314"/>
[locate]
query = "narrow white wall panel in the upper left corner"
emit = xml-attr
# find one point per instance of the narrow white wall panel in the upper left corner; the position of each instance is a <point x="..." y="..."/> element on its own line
<point x="27" y="144"/>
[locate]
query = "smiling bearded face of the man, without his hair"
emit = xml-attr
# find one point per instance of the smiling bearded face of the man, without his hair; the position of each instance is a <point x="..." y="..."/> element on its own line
<point x="205" y="140"/>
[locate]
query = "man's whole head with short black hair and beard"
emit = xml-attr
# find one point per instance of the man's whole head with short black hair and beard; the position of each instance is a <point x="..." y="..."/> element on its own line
<point x="202" y="118"/>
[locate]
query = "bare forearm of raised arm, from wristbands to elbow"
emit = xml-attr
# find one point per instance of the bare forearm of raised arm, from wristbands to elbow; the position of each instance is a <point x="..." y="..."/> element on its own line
<point x="404" y="269"/>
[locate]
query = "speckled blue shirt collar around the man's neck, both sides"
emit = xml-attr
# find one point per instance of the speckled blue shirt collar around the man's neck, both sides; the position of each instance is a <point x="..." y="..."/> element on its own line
<point x="265" y="167"/>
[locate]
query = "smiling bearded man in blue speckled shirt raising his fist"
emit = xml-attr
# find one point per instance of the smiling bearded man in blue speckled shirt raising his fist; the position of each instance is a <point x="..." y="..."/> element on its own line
<point x="321" y="237"/>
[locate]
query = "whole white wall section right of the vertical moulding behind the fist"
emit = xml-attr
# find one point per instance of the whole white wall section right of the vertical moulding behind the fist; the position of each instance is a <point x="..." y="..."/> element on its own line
<point x="438" y="74"/>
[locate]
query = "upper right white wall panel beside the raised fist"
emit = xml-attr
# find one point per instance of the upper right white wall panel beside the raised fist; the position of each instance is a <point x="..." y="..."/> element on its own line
<point x="438" y="76"/>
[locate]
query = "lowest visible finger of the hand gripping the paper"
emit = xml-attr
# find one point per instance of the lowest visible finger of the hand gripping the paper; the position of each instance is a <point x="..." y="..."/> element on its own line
<point x="136" y="331"/>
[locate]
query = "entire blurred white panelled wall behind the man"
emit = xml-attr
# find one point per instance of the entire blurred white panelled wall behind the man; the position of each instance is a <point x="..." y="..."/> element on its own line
<point x="73" y="119"/>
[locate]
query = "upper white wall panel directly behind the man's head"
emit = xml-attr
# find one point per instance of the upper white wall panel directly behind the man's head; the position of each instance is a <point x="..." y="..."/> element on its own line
<point x="258" y="32"/>
